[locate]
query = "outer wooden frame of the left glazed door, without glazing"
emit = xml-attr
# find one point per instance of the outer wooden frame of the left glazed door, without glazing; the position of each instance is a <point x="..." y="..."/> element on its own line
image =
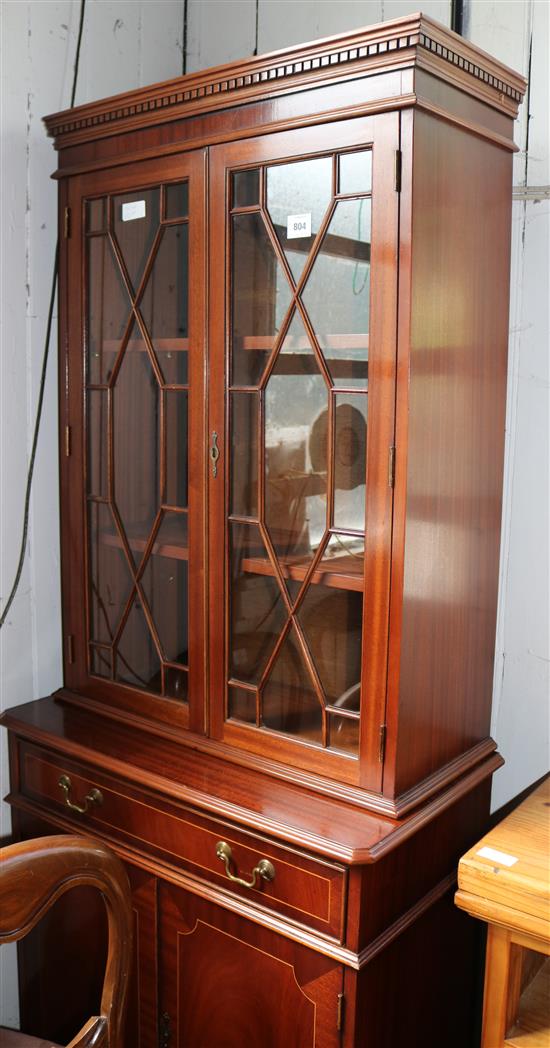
<point x="122" y="180"/>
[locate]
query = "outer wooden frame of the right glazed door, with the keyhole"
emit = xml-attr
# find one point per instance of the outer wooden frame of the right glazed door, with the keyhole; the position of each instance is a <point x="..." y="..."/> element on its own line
<point x="382" y="133"/>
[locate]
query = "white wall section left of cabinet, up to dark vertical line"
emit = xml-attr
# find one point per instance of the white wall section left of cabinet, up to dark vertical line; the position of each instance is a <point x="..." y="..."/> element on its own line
<point x="125" y="46"/>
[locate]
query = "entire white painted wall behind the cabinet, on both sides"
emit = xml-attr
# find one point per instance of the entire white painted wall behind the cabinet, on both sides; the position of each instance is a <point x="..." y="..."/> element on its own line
<point x="127" y="45"/>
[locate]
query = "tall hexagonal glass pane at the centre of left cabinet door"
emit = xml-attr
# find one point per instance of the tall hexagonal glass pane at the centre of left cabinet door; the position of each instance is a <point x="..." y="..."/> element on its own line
<point x="137" y="445"/>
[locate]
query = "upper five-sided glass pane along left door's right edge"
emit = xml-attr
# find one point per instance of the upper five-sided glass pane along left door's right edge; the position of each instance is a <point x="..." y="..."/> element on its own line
<point x="164" y="305"/>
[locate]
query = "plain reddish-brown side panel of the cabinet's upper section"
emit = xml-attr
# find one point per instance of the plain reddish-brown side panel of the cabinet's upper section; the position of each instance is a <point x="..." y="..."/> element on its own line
<point x="456" y="420"/>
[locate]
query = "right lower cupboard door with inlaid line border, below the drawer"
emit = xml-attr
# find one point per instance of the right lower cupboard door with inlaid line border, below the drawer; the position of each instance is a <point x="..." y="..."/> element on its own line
<point x="229" y="982"/>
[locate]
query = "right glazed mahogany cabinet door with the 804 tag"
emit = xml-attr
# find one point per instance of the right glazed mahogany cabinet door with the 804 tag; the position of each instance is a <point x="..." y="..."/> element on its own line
<point x="303" y="340"/>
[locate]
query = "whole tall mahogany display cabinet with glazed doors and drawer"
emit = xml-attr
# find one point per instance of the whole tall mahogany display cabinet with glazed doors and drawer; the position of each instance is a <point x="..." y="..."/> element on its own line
<point x="283" y="337"/>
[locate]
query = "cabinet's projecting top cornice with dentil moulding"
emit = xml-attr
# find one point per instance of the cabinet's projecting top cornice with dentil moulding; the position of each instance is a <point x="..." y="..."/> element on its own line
<point x="403" y="43"/>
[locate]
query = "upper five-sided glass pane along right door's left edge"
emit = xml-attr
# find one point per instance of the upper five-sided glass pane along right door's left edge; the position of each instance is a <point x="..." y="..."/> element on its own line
<point x="261" y="298"/>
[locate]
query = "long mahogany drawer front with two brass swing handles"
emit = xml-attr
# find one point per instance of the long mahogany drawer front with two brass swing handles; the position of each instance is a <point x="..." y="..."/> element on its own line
<point x="305" y="889"/>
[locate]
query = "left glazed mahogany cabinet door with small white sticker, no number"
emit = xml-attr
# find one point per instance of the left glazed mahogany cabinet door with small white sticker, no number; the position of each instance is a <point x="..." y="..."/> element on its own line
<point x="133" y="411"/>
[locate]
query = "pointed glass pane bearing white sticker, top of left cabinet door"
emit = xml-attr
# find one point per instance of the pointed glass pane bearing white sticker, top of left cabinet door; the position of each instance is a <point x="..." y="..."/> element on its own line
<point x="136" y="223"/>
